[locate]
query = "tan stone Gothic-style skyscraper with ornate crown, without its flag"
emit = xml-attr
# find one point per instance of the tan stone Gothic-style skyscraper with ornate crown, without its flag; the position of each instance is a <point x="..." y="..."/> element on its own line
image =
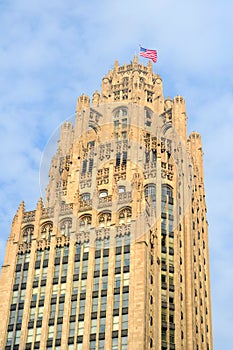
<point x="117" y="255"/>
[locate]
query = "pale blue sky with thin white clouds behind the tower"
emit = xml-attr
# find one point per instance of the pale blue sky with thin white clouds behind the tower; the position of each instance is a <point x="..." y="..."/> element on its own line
<point x="53" y="51"/>
